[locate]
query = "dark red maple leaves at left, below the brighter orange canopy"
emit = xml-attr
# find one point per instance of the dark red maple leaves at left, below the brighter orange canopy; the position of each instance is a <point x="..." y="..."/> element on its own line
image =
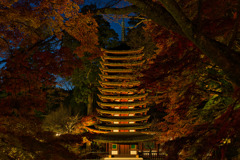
<point x="26" y="77"/>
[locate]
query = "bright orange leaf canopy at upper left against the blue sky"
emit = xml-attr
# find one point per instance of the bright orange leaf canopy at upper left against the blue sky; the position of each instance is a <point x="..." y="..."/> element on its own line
<point x="26" y="23"/>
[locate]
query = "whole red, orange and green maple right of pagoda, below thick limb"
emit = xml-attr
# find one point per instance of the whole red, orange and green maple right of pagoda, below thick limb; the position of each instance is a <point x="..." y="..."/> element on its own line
<point x="192" y="91"/>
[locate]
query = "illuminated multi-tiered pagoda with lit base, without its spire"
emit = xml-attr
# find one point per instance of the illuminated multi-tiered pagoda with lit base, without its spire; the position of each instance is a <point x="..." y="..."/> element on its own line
<point x="122" y="110"/>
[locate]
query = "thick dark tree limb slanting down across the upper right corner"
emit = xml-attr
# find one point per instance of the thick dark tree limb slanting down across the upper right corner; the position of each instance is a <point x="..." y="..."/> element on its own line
<point x="220" y="54"/>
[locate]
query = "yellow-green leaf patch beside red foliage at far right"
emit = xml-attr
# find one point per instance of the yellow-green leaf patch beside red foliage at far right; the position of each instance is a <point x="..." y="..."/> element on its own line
<point x="218" y="89"/>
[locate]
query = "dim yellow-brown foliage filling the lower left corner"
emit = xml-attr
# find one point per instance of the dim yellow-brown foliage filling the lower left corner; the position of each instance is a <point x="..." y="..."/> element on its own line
<point x="22" y="138"/>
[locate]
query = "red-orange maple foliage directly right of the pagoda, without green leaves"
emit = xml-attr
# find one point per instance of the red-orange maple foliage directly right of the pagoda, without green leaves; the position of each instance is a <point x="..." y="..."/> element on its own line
<point x="173" y="78"/>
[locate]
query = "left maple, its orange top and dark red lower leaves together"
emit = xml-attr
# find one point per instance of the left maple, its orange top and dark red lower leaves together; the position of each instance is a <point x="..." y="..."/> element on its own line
<point x="34" y="48"/>
